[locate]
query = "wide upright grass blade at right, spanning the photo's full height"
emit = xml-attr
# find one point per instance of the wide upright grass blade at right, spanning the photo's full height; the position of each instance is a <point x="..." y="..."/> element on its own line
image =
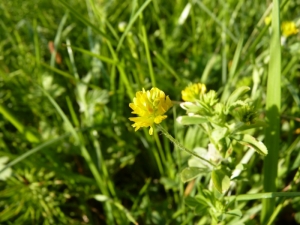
<point x="273" y="106"/>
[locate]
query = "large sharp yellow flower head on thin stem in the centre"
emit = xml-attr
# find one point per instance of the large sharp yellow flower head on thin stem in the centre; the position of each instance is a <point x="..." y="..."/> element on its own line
<point x="151" y="107"/>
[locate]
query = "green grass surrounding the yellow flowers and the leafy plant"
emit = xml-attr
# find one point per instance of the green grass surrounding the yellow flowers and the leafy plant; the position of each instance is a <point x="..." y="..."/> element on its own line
<point x="68" y="149"/>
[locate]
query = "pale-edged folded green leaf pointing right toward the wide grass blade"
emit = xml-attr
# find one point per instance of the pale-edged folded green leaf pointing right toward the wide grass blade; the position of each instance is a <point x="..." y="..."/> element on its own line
<point x="247" y="139"/>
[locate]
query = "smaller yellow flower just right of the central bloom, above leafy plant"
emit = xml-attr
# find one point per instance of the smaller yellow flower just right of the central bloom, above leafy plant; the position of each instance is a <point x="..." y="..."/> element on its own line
<point x="193" y="92"/>
